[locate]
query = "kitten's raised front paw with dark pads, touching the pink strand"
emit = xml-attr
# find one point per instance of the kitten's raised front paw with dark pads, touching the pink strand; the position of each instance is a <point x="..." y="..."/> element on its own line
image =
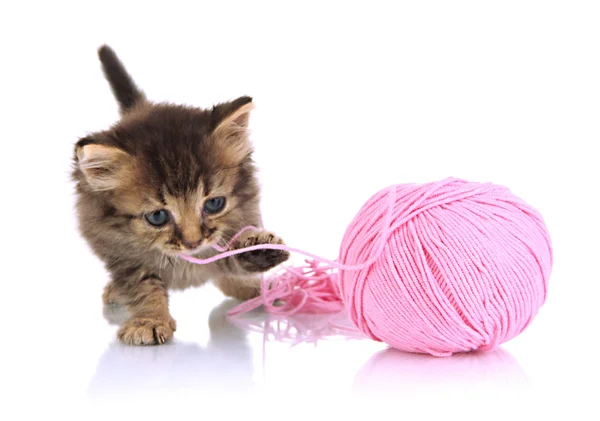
<point x="260" y="260"/>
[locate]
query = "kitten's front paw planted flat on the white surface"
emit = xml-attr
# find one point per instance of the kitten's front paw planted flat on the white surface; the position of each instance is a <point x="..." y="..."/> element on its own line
<point x="147" y="330"/>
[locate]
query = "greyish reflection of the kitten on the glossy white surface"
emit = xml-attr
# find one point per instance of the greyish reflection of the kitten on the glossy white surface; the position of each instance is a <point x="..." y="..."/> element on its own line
<point x="225" y="365"/>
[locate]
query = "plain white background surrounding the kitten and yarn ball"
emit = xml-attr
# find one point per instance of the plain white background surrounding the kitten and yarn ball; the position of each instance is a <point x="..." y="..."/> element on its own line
<point x="350" y="97"/>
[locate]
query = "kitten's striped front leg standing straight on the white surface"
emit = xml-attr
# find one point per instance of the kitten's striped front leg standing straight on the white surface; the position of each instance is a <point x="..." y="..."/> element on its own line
<point x="148" y="303"/>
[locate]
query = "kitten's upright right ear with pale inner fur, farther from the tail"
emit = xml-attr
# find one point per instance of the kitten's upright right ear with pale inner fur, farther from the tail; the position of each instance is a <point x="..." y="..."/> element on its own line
<point x="230" y="129"/>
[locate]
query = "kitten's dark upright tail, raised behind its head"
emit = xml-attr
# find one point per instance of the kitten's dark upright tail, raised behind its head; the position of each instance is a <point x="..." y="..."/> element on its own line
<point x="121" y="83"/>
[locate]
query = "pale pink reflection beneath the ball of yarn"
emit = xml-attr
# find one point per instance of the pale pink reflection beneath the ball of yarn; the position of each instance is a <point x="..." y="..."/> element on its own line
<point x="392" y="372"/>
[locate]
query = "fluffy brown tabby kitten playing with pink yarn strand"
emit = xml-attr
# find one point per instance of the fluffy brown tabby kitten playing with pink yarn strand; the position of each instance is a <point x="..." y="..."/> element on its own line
<point x="168" y="179"/>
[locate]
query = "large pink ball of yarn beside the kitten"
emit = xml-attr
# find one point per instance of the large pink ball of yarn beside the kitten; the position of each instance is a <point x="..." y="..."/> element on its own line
<point x="460" y="266"/>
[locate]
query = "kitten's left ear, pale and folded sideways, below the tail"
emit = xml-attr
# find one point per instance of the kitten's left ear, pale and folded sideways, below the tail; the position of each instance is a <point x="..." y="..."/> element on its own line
<point x="104" y="167"/>
